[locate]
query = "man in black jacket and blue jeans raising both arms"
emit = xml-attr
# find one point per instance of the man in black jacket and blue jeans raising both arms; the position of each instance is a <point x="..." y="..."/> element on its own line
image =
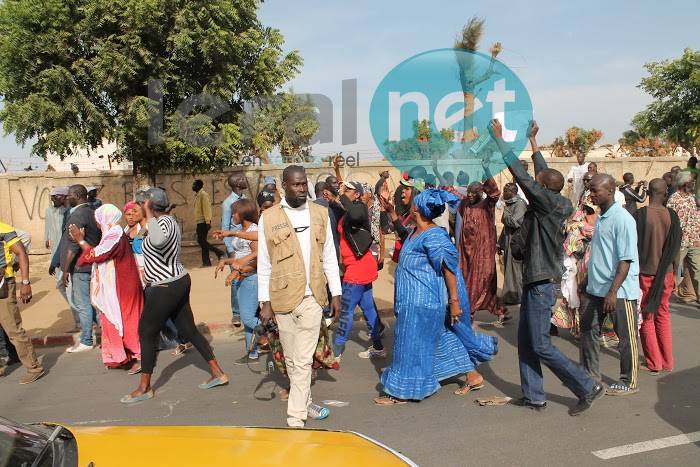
<point x="540" y="245"/>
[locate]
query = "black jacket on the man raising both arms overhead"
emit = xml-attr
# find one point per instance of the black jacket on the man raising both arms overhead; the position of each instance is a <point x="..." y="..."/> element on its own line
<point x="542" y="233"/>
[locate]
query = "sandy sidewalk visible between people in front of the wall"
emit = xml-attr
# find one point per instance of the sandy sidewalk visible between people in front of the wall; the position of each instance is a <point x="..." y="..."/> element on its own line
<point x="48" y="318"/>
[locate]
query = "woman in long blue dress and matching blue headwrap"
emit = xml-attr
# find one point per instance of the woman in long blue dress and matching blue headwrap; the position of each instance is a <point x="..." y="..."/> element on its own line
<point x="433" y="337"/>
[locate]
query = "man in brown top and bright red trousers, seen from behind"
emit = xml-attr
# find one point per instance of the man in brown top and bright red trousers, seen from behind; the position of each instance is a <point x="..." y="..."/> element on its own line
<point x="659" y="241"/>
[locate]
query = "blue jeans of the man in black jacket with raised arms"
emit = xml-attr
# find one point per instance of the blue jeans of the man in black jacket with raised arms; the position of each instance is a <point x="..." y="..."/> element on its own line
<point x="535" y="347"/>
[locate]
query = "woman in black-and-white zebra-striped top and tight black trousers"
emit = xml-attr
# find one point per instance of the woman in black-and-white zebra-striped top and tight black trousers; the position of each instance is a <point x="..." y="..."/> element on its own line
<point x="167" y="296"/>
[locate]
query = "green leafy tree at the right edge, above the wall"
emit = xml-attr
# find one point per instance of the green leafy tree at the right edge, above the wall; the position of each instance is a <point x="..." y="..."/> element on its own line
<point x="674" y="114"/>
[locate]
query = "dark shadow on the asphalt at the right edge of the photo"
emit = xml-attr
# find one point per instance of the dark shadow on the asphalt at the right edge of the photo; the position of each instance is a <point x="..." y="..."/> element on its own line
<point x="679" y="400"/>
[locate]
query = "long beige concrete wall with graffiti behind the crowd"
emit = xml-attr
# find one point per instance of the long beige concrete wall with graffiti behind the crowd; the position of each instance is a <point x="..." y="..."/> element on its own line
<point x="25" y="196"/>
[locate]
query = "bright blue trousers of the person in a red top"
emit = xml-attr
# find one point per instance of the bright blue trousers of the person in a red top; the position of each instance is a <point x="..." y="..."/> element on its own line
<point x="353" y="295"/>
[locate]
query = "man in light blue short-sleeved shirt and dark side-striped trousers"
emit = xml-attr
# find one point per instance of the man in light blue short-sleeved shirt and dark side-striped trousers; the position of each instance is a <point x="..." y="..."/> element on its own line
<point x="612" y="287"/>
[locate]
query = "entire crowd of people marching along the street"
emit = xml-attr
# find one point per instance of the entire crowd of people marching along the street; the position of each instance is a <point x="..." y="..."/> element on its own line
<point x="300" y="263"/>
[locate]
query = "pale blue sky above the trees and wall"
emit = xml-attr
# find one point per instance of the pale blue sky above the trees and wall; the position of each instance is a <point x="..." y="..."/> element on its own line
<point x="581" y="61"/>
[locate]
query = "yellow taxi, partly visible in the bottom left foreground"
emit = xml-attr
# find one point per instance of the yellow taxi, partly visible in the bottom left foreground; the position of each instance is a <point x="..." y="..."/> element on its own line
<point x="56" y="445"/>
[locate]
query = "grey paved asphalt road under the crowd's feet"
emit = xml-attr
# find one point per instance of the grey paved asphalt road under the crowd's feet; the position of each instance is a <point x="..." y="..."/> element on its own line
<point x="443" y="430"/>
